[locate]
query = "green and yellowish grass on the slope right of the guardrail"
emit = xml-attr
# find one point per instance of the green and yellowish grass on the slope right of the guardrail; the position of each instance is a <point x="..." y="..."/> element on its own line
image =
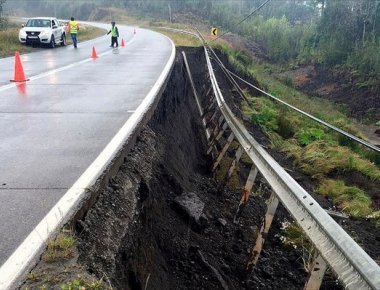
<point x="315" y="150"/>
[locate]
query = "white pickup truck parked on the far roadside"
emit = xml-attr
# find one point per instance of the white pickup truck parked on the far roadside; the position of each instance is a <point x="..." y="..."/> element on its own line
<point x="43" y="30"/>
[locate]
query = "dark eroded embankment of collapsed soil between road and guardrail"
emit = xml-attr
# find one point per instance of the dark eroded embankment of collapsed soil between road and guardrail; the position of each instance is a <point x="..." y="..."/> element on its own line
<point x="137" y="235"/>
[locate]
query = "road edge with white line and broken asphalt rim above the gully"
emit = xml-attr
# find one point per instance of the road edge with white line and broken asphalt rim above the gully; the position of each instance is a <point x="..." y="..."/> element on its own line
<point x="75" y="201"/>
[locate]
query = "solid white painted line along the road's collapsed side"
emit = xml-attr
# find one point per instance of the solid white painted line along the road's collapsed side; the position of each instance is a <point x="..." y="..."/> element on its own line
<point x="23" y="257"/>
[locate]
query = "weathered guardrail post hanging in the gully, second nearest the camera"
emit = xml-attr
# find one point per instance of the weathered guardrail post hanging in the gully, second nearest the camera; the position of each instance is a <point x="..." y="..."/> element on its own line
<point x="260" y="240"/>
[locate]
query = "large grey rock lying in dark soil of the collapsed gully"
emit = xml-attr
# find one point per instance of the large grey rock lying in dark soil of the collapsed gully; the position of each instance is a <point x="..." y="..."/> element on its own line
<point x="190" y="204"/>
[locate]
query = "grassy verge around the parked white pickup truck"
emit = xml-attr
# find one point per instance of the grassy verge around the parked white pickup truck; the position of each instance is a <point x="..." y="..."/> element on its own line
<point x="9" y="42"/>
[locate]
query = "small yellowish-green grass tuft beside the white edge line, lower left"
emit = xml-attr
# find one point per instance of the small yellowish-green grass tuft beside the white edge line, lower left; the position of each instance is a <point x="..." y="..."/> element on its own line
<point x="59" y="249"/>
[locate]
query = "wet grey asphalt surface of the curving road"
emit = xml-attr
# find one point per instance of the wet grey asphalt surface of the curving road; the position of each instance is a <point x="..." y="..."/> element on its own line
<point x="55" y="126"/>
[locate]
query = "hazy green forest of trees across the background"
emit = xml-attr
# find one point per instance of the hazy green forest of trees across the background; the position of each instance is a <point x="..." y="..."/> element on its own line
<point x="332" y="32"/>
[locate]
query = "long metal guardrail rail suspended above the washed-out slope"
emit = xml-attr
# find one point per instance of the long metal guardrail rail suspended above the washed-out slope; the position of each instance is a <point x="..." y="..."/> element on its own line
<point x="352" y="265"/>
